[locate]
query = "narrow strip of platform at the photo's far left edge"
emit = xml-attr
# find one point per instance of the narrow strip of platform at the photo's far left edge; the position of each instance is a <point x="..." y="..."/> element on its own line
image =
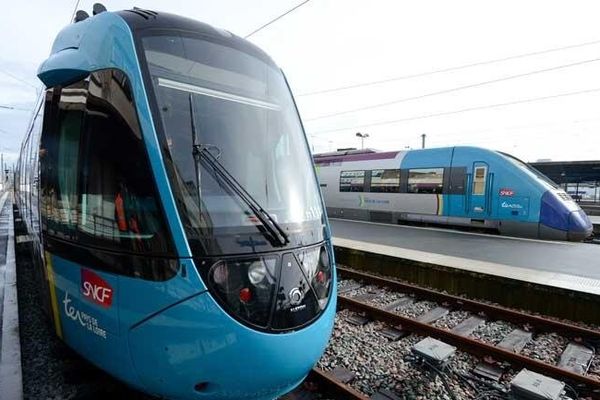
<point x="10" y="346"/>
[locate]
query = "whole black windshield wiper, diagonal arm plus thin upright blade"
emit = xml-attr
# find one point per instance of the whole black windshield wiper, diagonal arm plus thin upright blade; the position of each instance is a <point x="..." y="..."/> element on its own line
<point x="201" y="152"/>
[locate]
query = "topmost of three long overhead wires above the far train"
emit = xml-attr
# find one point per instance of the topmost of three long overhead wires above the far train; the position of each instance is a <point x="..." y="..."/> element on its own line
<point x="449" y="69"/>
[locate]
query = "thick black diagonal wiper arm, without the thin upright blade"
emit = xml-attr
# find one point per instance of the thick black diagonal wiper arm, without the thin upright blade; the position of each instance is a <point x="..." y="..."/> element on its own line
<point x="276" y="235"/>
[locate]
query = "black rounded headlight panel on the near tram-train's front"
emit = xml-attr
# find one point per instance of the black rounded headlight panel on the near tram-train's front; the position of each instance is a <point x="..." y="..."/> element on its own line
<point x="275" y="292"/>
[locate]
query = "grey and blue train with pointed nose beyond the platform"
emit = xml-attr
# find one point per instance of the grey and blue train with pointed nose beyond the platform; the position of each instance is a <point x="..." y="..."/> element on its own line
<point x="459" y="186"/>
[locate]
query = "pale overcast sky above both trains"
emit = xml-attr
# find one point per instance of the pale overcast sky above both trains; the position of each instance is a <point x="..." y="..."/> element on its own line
<point x="327" y="44"/>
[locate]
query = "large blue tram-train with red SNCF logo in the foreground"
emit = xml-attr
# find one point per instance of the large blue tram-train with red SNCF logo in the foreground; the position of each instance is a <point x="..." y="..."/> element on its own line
<point x="180" y="237"/>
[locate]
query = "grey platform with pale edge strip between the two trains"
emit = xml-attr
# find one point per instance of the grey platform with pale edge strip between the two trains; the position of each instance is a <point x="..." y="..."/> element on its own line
<point x="567" y="265"/>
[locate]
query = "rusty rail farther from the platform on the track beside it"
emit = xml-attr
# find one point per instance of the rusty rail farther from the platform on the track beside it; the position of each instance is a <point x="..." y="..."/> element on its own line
<point x="475" y="347"/>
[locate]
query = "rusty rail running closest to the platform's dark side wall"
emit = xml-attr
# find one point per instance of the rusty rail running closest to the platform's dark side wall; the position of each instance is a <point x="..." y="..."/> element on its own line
<point x="492" y="311"/>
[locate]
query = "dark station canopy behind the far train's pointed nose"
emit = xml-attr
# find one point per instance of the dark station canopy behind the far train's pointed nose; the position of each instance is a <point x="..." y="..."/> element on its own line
<point x="569" y="171"/>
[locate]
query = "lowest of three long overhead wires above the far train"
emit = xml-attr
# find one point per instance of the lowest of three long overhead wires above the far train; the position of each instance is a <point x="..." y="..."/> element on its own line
<point x="462" y="110"/>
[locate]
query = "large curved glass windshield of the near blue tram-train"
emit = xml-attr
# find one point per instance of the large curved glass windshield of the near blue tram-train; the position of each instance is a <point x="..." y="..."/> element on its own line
<point x="237" y="107"/>
